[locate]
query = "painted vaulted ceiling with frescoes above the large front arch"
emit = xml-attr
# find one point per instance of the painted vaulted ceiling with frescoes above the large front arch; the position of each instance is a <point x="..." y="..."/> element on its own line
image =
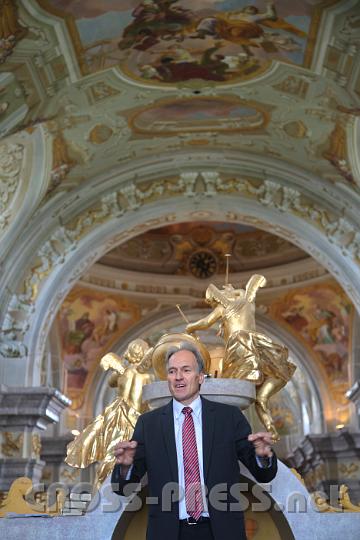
<point x="90" y="76"/>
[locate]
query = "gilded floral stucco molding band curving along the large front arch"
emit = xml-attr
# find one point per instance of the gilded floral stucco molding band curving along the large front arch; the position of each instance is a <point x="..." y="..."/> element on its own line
<point x="132" y="196"/>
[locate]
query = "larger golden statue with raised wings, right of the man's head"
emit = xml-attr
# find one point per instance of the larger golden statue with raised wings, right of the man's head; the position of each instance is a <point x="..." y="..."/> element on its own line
<point x="249" y="355"/>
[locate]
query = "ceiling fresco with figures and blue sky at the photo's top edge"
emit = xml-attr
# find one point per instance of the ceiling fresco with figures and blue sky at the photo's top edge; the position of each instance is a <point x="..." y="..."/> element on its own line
<point x="171" y="41"/>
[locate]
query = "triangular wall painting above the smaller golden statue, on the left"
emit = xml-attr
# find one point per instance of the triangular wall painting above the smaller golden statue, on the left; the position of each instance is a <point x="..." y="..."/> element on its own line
<point x="89" y="322"/>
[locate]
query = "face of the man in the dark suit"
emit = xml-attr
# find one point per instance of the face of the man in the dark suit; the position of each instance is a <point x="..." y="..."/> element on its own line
<point x="184" y="377"/>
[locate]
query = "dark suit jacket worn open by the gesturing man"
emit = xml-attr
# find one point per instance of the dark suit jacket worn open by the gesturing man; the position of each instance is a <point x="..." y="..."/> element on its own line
<point x="225" y="432"/>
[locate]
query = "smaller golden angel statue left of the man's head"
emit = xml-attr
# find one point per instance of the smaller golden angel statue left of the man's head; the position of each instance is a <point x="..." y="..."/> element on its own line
<point x="98" y="440"/>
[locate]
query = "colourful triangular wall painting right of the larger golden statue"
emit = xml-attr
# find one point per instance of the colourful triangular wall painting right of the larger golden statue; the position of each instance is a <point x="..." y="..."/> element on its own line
<point x="320" y="316"/>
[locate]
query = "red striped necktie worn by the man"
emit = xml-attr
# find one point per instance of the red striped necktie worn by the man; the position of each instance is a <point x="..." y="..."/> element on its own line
<point x="193" y="497"/>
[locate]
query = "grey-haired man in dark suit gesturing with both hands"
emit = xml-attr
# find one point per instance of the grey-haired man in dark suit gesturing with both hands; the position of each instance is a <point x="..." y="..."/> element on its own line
<point x="194" y="445"/>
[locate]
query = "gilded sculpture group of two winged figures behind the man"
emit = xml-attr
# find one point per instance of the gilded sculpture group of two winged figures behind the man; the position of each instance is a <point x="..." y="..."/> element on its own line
<point x="248" y="355"/>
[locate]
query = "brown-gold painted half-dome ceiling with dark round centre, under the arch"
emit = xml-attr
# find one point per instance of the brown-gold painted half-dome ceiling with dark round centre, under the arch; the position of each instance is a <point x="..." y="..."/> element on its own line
<point x="199" y="249"/>
